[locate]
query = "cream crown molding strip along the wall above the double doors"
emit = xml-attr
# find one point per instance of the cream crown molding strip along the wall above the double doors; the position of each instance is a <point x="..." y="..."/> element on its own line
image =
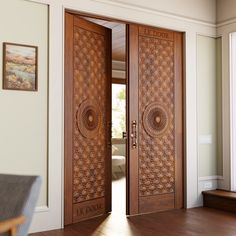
<point x="156" y="12"/>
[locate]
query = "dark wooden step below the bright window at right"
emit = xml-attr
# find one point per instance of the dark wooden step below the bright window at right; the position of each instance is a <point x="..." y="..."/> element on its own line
<point x="220" y="199"/>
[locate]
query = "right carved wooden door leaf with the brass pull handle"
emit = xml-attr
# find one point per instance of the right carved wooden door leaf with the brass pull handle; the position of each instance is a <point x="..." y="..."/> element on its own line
<point x="155" y="145"/>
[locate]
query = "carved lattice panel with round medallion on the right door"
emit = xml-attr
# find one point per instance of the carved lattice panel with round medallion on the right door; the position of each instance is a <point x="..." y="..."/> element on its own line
<point x="156" y="116"/>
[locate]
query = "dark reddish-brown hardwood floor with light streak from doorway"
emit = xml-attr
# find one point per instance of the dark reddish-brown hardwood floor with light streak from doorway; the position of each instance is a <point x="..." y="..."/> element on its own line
<point x="197" y="221"/>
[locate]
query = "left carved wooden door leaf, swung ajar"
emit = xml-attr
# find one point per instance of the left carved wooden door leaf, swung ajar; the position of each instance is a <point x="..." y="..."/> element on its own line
<point x="87" y="119"/>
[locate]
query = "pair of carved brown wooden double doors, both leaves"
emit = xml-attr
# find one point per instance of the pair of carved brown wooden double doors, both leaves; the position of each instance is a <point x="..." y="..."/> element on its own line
<point x="154" y="107"/>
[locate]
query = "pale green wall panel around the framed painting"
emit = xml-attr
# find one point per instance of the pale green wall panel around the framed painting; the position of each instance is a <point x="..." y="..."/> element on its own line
<point x="23" y="115"/>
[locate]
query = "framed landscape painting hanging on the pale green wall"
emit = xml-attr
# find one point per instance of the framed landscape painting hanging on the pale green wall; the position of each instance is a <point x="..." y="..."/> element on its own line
<point x="20" y="67"/>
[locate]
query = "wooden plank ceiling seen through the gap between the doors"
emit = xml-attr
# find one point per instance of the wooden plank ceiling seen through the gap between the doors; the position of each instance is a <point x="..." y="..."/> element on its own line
<point x="118" y="37"/>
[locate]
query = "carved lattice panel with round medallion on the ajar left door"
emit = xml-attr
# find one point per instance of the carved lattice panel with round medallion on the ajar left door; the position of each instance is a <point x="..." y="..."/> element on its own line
<point x="88" y="106"/>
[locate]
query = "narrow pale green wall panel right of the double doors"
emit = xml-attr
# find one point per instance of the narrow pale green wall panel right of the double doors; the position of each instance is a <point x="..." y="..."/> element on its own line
<point x="206" y="93"/>
